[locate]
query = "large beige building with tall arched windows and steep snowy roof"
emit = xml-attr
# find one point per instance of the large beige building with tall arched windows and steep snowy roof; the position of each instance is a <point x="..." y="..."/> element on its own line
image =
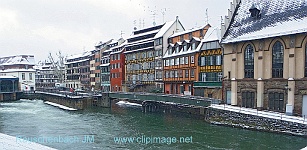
<point x="264" y="58"/>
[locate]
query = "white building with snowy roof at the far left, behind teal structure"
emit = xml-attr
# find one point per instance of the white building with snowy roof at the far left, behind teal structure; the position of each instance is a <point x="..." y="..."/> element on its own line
<point x="20" y="66"/>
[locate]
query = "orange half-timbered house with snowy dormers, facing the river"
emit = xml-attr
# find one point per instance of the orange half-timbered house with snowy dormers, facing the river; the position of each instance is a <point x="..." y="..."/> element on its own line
<point x="180" y="61"/>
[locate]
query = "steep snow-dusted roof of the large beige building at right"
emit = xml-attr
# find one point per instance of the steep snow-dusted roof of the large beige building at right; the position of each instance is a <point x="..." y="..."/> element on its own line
<point x="277" y="18"/>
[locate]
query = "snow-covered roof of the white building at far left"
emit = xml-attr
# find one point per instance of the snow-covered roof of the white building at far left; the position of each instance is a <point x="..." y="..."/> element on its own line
<point x="18" y="59"/>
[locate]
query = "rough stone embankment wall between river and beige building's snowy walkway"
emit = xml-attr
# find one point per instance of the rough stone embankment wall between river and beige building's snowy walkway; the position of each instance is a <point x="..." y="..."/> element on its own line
<point x="235" y="119"/>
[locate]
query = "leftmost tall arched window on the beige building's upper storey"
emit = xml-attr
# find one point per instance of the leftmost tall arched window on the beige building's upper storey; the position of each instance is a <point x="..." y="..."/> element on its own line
<point x="249" y="61"/>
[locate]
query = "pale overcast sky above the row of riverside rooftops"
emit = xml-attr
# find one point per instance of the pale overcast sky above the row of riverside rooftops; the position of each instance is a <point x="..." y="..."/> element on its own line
<point x="37" y="27"/>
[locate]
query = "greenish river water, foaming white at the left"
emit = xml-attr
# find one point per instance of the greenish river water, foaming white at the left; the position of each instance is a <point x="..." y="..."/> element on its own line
<point x="105" y="128"/>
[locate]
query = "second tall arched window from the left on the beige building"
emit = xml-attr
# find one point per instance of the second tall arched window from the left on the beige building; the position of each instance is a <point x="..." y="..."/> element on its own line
<point x="277" y="60"/>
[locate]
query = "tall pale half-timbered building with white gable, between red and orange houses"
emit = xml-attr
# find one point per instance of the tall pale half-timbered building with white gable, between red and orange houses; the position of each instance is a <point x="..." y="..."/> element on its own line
<point x="144" y="50"/>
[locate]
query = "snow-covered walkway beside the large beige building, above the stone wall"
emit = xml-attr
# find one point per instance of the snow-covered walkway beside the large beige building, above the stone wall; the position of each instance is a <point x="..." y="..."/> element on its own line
<point x="266" y="114"/>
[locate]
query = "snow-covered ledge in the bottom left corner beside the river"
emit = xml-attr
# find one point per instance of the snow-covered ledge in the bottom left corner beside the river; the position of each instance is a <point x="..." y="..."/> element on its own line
<point x="10" y="143"/>
